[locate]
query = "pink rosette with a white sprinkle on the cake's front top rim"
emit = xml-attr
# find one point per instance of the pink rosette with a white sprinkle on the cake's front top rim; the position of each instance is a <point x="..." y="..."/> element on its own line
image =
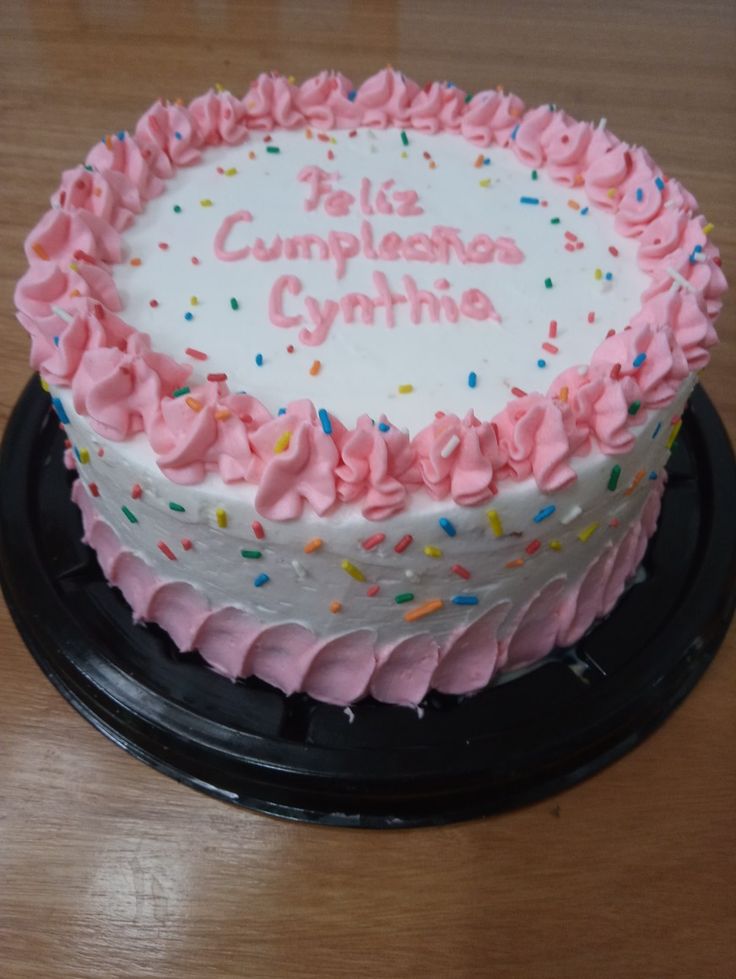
<point x="459" y="458"/>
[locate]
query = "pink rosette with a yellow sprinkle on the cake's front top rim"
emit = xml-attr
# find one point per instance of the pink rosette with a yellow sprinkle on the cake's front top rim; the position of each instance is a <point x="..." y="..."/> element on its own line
<point x="298" y="461"/>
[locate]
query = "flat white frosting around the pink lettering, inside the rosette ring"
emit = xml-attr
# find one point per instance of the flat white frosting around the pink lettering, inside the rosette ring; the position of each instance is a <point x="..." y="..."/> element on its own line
<point x="363" y="366"/>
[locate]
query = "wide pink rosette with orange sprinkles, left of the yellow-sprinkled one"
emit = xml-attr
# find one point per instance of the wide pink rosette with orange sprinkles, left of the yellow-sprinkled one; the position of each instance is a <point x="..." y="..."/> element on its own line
<point x="207" y="431"/>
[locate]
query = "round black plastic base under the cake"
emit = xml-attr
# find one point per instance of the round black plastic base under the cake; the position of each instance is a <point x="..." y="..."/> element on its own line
<point x="373" y="765"/>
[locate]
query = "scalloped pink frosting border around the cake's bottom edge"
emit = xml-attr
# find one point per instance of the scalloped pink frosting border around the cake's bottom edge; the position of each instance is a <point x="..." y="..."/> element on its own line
<point x="344" y="668"/>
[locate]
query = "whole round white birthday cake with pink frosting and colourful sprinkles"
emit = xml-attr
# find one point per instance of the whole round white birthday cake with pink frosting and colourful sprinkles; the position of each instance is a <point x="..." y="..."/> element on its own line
<point x="369" y="390"/>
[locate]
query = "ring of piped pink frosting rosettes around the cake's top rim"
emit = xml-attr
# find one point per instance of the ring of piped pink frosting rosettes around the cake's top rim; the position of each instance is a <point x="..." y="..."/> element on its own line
<point x="123" y="387"/>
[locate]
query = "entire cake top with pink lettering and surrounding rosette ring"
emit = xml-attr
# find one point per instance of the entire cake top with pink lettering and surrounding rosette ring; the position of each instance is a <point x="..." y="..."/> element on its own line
<point x="150" y="295"/>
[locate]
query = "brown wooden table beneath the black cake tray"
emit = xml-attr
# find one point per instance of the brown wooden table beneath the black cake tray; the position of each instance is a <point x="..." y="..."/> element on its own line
<point x="109" y="869"/>
